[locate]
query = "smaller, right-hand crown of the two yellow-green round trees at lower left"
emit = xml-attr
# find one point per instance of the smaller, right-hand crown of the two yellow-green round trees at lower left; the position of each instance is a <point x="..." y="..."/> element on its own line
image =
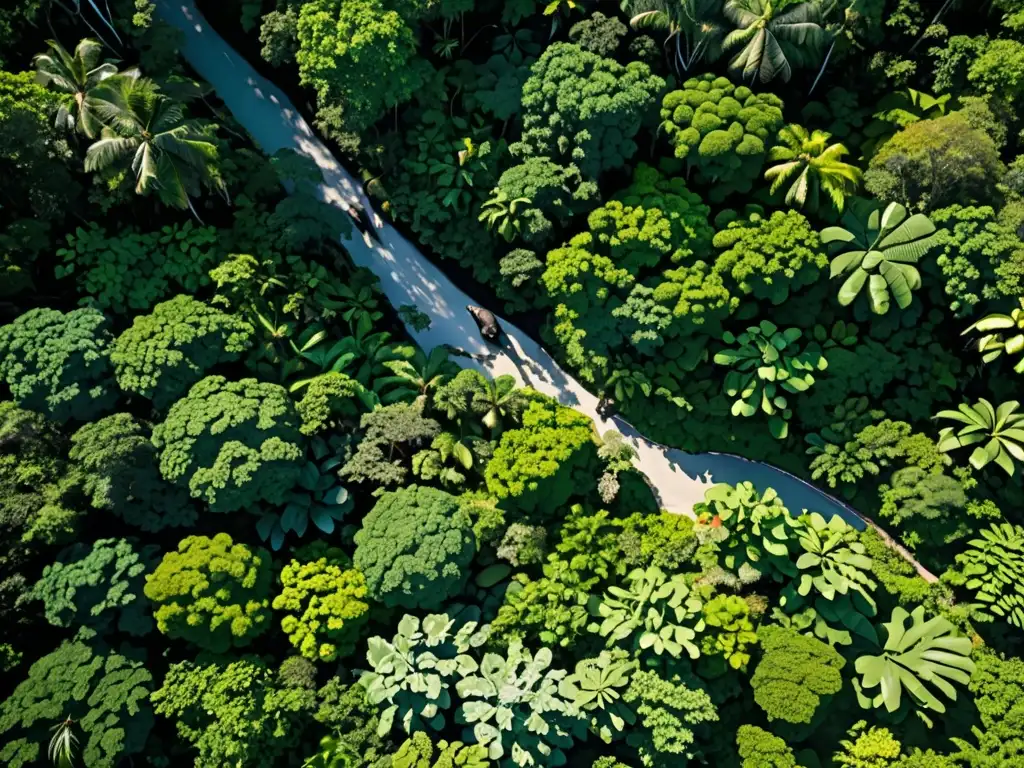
<point x="323" y="598"/>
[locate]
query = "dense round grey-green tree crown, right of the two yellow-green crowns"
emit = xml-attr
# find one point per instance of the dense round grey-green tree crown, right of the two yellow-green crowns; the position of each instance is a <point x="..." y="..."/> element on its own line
<point x="415" y="548"/>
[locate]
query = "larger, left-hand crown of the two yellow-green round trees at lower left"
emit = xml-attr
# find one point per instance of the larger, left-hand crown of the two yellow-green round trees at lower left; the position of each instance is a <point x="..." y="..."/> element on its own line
<point x="212" y="592"/>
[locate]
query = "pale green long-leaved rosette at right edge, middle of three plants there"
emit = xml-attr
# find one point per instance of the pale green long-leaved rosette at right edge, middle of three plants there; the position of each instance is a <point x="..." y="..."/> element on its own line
<point x="1002" y="430"/>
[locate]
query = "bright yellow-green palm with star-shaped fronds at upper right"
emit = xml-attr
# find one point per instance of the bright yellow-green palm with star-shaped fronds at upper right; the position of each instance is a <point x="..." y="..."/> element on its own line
<point x="812" y="164"/>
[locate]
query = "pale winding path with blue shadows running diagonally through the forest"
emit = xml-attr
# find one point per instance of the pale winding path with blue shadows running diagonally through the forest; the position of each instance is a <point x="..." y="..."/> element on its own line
<point x="407" y="277"/>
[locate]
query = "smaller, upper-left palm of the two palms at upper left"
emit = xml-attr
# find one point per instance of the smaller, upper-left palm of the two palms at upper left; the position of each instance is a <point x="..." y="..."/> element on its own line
<point x="77" y="75"/>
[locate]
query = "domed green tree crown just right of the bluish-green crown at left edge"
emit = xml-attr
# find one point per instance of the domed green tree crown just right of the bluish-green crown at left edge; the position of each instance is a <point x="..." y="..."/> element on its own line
<point x="168" y="351"/>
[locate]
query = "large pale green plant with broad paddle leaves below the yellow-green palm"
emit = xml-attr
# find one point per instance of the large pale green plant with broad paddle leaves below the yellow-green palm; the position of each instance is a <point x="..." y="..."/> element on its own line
<point x="888" y="245"/>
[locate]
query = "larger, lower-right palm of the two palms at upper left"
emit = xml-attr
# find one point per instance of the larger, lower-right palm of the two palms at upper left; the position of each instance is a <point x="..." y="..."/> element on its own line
<point x="170" y="156"/>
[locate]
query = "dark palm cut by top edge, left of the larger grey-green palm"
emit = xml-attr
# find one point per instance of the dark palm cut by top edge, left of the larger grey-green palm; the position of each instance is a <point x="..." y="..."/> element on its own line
<point x="693" y="25"/>
